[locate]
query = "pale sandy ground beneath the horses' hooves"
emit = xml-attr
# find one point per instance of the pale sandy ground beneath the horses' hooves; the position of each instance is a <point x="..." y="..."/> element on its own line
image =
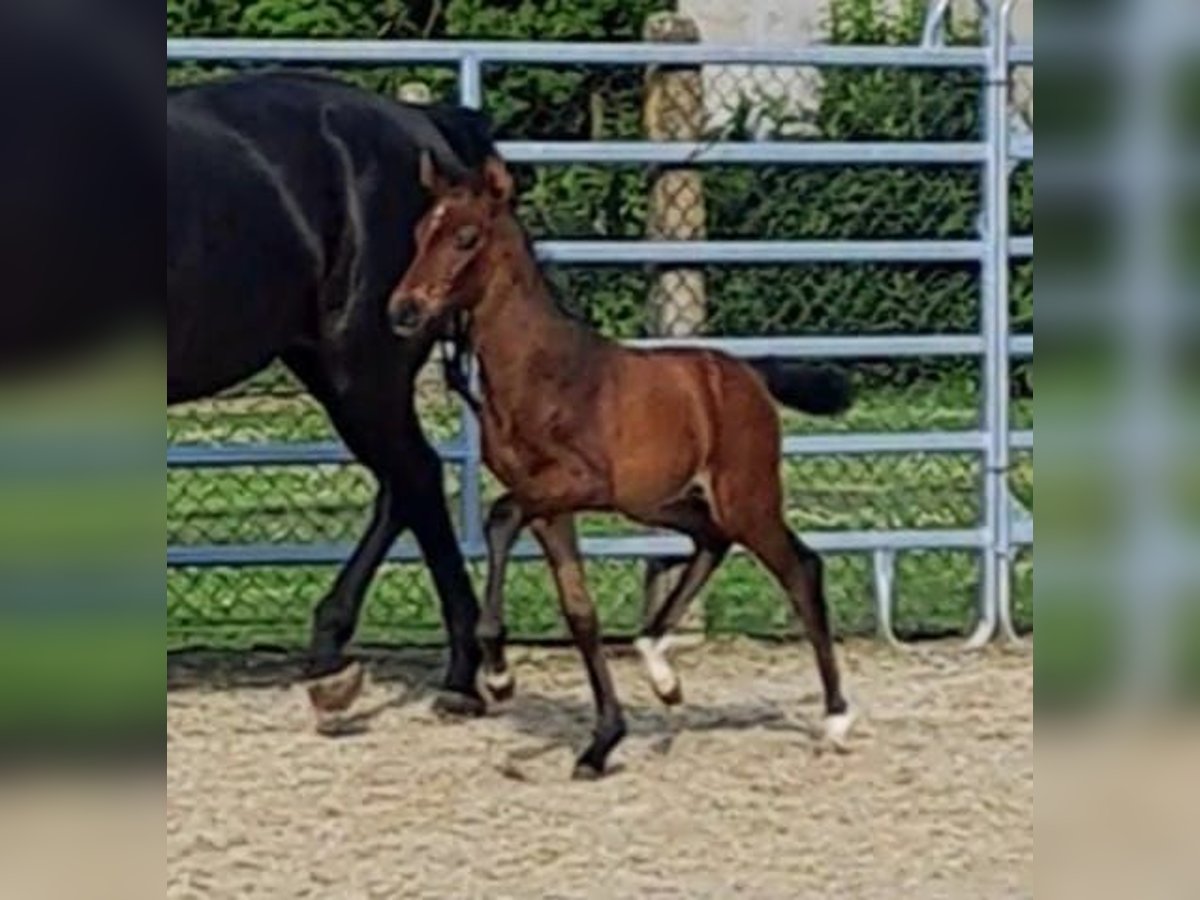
<point x="729" y="796"/>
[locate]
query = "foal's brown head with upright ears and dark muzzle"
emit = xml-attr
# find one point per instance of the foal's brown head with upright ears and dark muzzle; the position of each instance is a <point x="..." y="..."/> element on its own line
<point x="449" y="272"/>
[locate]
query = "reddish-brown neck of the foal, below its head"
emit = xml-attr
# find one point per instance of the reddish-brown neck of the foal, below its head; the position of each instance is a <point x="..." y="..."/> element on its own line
<point x="520" y="335"/>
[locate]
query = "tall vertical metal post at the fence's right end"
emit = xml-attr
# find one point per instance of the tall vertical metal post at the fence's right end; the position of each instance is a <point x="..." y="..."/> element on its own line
<point x="995" y="316"/>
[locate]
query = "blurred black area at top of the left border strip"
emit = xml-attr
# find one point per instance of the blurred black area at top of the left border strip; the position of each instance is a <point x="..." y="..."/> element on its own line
<point x="82" y="175"/>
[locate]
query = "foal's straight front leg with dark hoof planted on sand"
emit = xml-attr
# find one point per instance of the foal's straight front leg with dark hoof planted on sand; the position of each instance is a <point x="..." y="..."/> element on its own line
<point x="557" y="538"/>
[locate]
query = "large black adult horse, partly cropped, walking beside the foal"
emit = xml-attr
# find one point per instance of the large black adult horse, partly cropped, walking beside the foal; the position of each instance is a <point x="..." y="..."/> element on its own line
<point x="292" y="202"/>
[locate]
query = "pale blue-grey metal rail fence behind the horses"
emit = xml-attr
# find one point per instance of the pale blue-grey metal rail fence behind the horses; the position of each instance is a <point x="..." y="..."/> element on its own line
<point x="1003" y="526"/>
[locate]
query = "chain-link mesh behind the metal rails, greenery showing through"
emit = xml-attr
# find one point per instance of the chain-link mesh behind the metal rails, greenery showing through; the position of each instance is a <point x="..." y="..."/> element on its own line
<point x="937" y="590"/>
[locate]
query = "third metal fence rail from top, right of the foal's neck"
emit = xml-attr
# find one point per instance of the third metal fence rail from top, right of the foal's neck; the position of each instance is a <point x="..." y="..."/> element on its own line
<point x="633" y="253"/>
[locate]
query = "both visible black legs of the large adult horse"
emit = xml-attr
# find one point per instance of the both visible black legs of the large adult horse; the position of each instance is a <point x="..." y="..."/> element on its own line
<point x="381" y="429"/>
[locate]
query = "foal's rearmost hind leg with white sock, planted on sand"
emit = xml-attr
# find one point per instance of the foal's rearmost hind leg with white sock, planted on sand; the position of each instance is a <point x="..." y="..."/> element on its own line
<point x="802" y="574"/>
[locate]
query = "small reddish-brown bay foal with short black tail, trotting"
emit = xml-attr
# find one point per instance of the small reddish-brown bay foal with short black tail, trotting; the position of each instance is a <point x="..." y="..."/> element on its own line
<point x="685" y="440"/>
